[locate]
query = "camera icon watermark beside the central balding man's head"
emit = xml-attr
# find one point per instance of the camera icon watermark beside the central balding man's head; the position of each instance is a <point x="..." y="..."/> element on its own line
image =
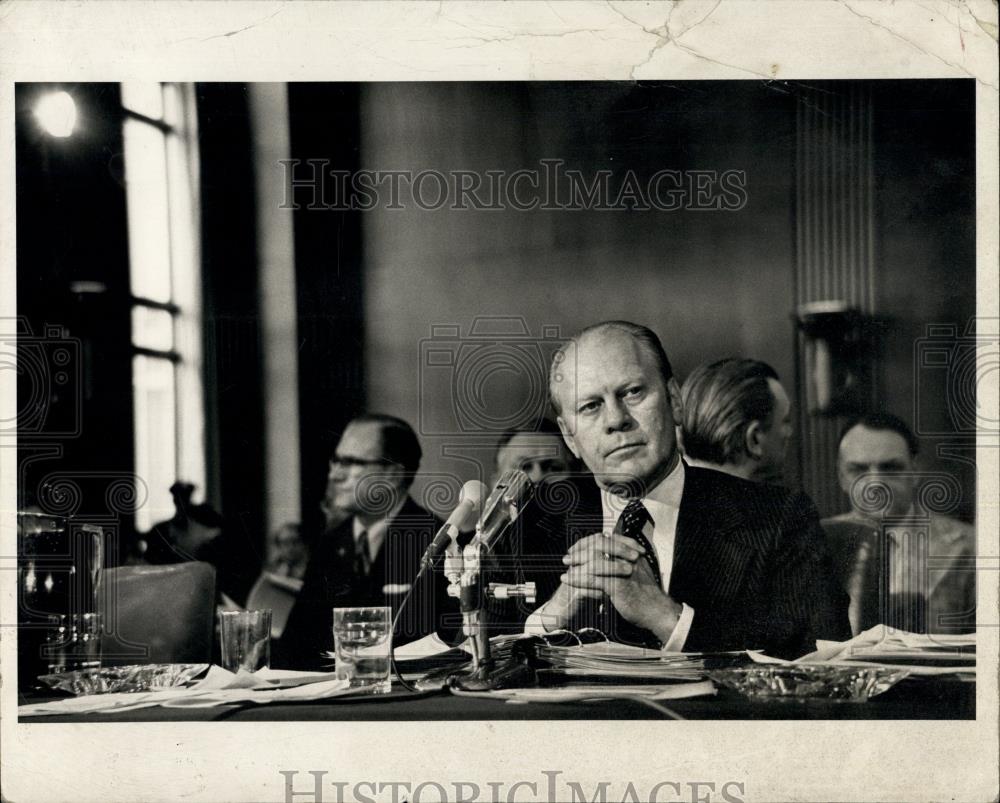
<point x="493" y="379"/>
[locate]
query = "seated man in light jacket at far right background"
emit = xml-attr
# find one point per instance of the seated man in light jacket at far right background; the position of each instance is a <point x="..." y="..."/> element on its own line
<point x="902" y="565"/>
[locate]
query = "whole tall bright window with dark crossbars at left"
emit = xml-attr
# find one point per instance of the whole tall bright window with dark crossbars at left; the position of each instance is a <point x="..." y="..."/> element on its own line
<point x="161" y="180"/>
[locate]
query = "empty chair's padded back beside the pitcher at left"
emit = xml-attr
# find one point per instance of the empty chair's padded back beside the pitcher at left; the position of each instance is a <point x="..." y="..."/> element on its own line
<point x="157" y="614"/>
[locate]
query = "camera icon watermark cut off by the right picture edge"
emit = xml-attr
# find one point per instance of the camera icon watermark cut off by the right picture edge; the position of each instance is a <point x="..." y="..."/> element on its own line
<point x="963" y="363"/>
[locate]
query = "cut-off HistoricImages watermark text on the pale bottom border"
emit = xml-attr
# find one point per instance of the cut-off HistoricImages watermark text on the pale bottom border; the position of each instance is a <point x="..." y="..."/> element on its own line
<point x="313" y="786"/>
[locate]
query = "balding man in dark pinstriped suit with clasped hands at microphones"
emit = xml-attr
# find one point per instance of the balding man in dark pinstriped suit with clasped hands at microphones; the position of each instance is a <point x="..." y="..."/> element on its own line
<point x="663" y="554"/>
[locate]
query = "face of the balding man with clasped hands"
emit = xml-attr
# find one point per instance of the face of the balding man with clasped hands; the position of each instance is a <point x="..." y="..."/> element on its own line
<point x="617" y="414"/>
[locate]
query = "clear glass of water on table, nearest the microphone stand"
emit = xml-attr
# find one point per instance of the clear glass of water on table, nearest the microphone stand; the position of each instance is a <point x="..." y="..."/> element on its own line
<point x="362" y="640"/>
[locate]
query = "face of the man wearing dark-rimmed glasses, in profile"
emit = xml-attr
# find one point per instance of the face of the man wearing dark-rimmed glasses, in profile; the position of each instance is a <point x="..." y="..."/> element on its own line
<point x="358" y="470"/>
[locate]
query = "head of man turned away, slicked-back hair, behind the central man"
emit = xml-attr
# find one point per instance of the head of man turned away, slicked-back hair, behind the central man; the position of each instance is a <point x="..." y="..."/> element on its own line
<point x="737" y="419"/>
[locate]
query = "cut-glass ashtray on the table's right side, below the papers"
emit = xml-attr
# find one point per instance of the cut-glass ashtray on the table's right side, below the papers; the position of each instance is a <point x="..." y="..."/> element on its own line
<point x="804" y="682"/>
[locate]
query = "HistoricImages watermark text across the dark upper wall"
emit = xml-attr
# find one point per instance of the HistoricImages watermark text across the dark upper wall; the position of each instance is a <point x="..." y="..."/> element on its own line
<point x="550" y="186"/>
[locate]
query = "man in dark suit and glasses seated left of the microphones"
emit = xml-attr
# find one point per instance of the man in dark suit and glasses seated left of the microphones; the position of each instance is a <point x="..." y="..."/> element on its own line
<point x="371" y="557"/>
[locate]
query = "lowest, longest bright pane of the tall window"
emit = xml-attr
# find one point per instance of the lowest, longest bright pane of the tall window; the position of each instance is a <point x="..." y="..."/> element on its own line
<point x="155" y="438"/>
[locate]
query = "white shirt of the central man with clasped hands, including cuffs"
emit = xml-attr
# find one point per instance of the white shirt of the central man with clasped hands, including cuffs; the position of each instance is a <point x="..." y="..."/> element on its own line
<point x="663" y="505"/>
